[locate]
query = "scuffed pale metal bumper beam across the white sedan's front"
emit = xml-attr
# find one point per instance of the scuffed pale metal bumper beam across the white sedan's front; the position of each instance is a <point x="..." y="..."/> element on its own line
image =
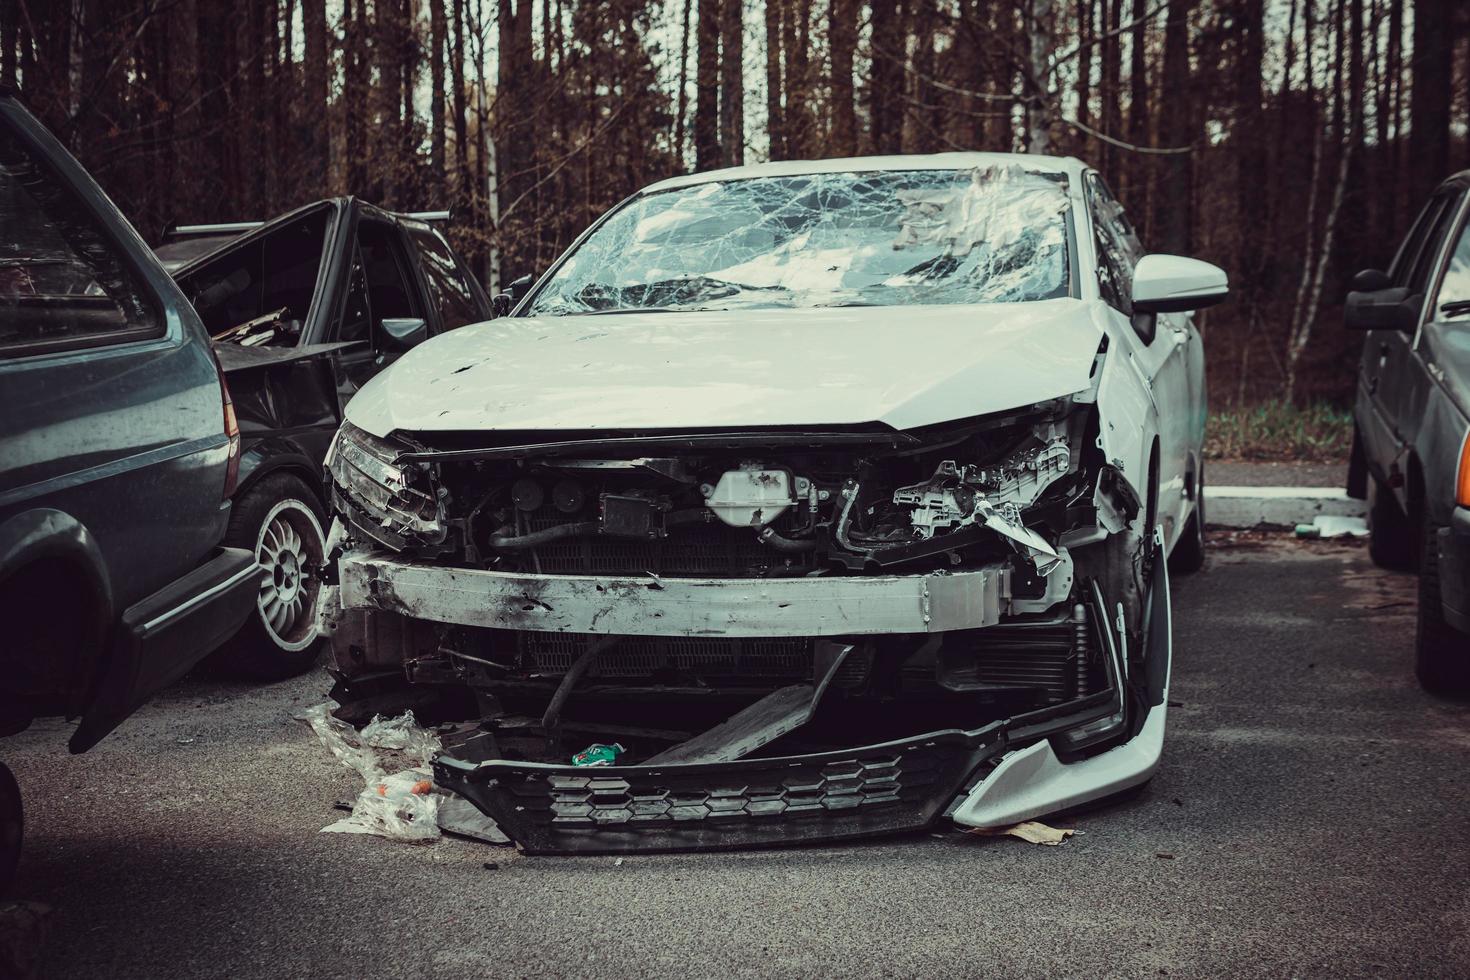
<point x="677" y="608"/>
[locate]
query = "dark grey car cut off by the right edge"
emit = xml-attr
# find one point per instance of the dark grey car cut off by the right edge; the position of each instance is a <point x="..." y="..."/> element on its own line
<point x="1412" y="442"/>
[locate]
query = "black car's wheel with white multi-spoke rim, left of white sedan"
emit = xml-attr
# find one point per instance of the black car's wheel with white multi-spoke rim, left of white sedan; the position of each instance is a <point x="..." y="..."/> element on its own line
<point x="279" y="521"/>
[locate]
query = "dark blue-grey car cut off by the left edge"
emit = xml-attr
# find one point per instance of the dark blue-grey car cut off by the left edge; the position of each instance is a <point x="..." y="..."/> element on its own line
<point x="118" y="459"/>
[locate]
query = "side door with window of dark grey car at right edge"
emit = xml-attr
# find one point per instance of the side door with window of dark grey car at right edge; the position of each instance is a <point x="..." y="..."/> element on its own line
<point x="1390" y="372"/>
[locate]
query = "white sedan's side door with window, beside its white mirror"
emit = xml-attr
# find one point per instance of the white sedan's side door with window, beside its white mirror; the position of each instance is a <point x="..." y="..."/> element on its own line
<point x="1158" y="347"/>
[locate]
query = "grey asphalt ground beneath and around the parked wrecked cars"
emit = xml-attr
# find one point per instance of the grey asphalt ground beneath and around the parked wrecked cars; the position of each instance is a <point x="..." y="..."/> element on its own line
<point x="1311" y="819"/>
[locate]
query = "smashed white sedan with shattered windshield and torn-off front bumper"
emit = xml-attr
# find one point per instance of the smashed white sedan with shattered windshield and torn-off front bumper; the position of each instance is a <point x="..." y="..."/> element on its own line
<point x="799" y="502"/>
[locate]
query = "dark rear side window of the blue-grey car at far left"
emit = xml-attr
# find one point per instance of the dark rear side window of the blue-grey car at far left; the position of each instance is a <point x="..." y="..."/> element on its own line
<point x="64" y="283"/>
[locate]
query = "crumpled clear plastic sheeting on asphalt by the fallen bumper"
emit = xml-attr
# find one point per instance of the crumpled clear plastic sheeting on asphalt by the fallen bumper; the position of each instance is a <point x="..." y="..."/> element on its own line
<point x="404" y="806"/>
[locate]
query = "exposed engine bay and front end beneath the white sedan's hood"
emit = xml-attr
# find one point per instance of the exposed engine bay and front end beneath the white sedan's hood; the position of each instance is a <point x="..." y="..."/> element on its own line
<point x="731" y="597"/>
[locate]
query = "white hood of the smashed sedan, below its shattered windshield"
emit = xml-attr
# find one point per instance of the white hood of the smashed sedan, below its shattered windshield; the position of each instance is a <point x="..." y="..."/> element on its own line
<point x="900" y="367"/>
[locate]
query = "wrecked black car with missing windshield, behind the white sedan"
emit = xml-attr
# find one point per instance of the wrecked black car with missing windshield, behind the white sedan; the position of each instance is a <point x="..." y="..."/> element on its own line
<point x="304" y="311"/>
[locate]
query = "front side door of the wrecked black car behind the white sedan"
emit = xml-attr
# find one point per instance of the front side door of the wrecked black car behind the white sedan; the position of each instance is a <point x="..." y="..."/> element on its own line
<point x="381" y="284"/>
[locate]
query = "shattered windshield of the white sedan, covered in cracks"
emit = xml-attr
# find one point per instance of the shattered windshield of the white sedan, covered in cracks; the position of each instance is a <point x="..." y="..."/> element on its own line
<point x="994" y="234"/>
